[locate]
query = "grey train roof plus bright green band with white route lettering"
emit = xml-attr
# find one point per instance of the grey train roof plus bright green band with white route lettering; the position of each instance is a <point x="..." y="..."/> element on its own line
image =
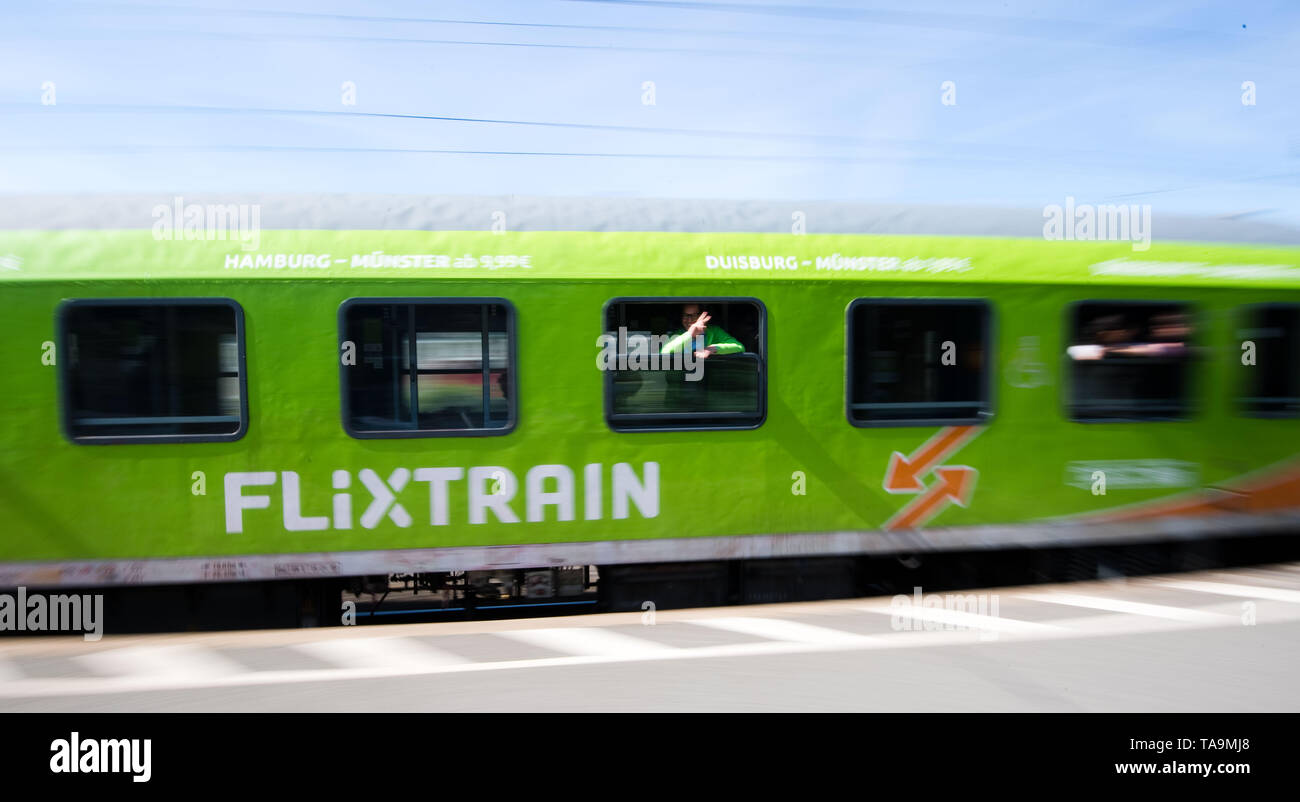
<point x="402" y="237"/>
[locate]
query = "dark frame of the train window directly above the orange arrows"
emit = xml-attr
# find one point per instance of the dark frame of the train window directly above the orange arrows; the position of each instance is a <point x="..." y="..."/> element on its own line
<point x="982" y="417"/>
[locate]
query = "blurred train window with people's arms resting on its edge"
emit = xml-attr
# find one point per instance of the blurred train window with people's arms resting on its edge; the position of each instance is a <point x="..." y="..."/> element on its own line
<point x="1130" y="361"/>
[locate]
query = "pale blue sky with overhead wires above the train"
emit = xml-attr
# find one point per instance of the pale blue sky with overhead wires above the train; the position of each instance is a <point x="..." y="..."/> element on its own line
<point x="1103" y="102"/>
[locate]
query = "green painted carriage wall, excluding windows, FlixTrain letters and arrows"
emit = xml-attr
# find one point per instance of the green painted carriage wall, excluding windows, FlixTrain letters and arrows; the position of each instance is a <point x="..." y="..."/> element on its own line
<point x="805" y="470"/>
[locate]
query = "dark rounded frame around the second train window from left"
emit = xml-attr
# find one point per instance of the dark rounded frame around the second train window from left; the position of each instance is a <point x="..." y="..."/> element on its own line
<point x="430" y="301"/>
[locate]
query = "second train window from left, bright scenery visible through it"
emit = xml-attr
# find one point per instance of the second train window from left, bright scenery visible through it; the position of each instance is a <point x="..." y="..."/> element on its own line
<point x="424" y="367"/>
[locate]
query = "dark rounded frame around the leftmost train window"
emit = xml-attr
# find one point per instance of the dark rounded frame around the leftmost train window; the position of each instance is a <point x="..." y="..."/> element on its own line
<point x="66" y="415"/>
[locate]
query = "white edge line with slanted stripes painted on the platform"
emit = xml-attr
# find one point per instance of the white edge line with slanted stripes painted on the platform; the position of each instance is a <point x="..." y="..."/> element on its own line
<point x="179" y="666"/>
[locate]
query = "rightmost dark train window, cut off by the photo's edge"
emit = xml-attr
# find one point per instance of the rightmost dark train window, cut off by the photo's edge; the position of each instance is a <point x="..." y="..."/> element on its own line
<point x="1269" y="361"/>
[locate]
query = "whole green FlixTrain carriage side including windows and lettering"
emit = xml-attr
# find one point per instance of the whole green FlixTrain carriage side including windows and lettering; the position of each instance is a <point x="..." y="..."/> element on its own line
<point x="184" y="411"/>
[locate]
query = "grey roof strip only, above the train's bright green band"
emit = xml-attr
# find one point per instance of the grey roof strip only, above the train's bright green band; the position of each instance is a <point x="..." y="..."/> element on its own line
<point x="560" y="214"/>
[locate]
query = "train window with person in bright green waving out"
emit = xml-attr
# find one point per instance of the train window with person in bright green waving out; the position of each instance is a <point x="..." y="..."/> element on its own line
<point x="655" y="379"/>
